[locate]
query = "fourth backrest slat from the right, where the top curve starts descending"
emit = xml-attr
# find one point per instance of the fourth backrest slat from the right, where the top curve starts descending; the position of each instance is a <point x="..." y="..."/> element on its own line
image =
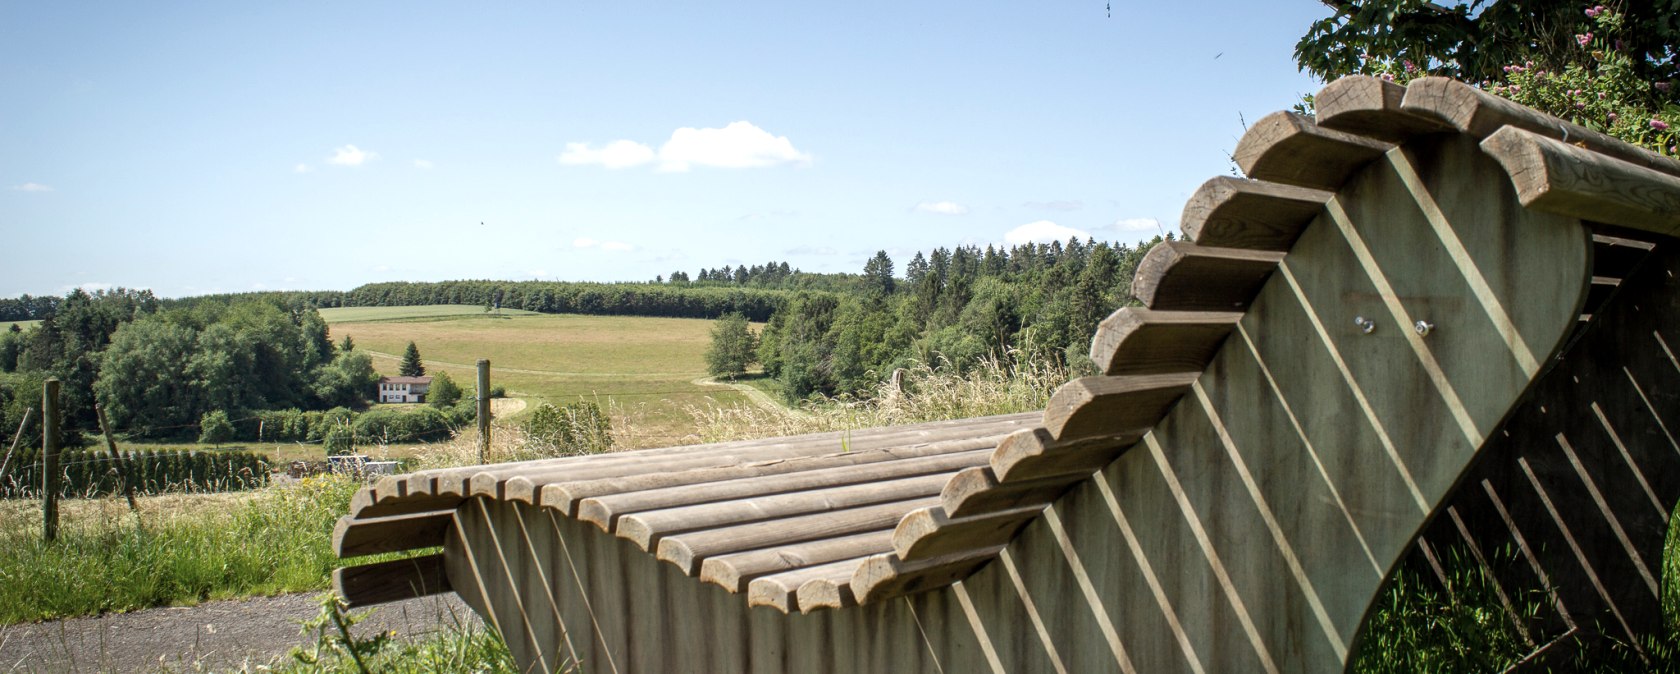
<point x="1289" y="149"/>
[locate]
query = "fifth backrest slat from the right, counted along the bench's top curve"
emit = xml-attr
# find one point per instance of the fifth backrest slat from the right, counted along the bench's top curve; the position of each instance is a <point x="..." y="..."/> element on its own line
<point x="1249" y="214"/>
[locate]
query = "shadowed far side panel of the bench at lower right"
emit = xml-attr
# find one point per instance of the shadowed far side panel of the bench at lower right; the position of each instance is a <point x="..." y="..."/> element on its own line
<point x="1572" y="500"/>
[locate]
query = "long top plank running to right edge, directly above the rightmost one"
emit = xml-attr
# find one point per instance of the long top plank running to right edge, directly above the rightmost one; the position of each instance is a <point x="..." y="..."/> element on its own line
<point x="1483" y="115"/>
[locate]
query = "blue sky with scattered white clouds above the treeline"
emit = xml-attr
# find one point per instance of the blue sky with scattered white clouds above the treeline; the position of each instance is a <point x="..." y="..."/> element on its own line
<point x="238" y="147"/>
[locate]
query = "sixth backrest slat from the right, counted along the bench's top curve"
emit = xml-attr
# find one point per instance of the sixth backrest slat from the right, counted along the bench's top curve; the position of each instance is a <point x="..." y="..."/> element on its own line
<point x="1179" y="276"/>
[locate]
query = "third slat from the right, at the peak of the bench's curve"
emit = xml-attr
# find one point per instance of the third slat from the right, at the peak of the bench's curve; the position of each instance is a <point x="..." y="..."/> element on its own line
<point x="1370" y="107"/>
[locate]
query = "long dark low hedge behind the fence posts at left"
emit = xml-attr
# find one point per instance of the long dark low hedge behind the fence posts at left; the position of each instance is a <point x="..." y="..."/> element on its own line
<point x="93" y="473"/>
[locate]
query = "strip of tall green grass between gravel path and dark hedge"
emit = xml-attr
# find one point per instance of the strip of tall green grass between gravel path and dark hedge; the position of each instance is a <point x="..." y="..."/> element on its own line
<point x="184" y="549"/>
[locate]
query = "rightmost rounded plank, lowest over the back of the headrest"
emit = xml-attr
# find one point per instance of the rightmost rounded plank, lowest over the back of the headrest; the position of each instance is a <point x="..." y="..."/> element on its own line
<point x="1577" y="182"/>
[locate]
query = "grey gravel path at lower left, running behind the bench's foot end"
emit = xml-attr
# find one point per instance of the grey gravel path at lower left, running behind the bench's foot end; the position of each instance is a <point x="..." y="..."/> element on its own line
<point x="214" y="636"/>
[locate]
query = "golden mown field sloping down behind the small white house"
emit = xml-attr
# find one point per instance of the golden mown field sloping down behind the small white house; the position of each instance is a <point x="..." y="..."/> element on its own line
<point x="646" y="372"/>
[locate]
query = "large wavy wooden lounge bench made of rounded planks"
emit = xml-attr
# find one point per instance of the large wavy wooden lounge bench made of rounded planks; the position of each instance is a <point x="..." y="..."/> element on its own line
<point x="1427" y="319"/>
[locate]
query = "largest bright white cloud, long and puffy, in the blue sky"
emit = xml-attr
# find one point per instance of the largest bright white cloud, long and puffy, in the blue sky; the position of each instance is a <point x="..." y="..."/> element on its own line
<point x="738" y="145"/>
